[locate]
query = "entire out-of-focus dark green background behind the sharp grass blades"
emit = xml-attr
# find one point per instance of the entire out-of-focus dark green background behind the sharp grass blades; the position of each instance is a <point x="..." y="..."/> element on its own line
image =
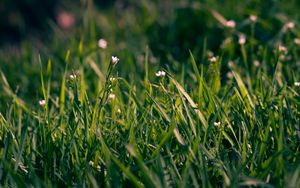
<point x="170" y="28"/>
